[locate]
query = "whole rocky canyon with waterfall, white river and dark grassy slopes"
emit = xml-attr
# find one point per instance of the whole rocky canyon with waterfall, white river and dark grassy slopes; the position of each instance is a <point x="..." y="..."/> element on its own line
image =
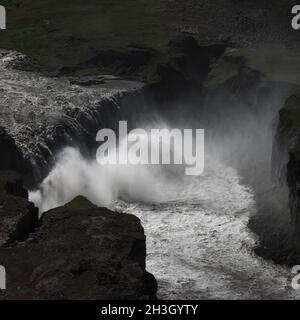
<point x="215" y="236"/>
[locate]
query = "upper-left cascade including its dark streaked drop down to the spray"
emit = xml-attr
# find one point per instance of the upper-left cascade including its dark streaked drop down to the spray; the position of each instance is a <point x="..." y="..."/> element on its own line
<point x="43" y="114"/>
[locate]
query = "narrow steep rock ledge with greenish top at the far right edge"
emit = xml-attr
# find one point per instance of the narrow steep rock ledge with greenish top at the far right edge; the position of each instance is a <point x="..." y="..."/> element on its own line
<point x="286" y="168"/>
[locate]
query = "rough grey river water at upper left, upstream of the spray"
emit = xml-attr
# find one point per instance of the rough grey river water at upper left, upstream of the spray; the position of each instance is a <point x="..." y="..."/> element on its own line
<point x="35" y="107"/>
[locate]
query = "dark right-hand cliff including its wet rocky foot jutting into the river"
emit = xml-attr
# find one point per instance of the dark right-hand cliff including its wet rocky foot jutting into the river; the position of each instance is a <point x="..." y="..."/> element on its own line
<point x="279" y="224"/>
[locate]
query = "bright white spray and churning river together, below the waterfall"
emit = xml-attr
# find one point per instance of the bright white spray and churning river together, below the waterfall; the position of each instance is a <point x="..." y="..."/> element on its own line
<point x="198" y="242"/>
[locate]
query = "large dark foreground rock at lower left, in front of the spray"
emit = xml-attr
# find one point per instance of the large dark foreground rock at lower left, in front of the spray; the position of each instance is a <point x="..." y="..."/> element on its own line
<point x="80" y="251"/>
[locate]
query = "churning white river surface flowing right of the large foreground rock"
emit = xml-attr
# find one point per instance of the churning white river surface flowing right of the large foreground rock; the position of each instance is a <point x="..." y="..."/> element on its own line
<point x="199" y="246"/>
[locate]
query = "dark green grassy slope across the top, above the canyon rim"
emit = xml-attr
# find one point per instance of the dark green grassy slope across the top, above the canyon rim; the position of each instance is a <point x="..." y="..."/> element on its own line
<point x="60" y="33"/>
